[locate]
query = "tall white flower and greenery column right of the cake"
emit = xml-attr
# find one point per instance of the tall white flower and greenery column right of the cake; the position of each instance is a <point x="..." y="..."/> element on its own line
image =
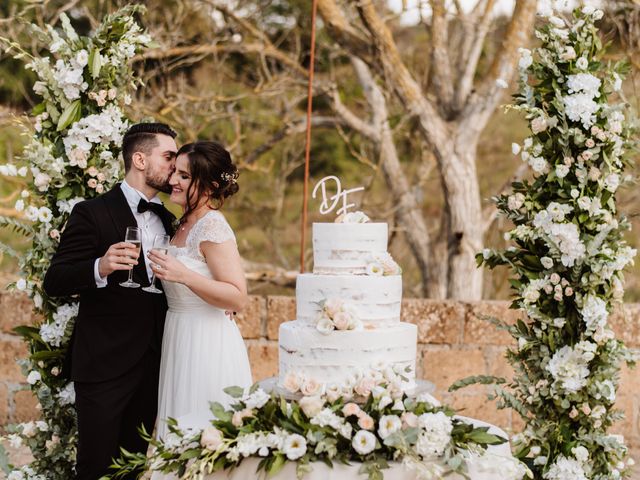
<point x="567" y="256"/>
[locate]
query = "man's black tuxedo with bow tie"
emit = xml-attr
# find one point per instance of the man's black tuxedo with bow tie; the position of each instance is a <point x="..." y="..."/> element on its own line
<point x="115" y="349"/>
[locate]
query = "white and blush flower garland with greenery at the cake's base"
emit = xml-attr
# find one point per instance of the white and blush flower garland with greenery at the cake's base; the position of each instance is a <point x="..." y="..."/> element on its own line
<point x="428" y="439"/>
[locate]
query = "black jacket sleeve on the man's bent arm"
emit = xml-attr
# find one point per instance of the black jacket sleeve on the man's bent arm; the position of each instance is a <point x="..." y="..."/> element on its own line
<point x="72" y="267"/>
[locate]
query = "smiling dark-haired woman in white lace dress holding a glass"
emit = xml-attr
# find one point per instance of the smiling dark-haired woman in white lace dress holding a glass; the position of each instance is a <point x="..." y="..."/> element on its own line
<point x="202" y="348"/>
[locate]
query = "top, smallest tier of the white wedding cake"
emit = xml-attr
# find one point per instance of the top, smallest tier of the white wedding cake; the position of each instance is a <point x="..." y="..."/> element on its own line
<point x="340" y="248"/>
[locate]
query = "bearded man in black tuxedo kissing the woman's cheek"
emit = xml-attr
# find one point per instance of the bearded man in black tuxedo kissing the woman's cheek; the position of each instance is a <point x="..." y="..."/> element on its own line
<point x="115" y="348"/>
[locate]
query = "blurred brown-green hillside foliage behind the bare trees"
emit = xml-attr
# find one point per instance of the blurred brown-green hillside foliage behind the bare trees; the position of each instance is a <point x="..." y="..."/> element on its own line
<point x="230" y="97"/>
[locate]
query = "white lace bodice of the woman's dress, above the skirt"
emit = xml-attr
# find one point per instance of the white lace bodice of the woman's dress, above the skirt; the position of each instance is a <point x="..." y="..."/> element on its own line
<point x="212" y="227"/>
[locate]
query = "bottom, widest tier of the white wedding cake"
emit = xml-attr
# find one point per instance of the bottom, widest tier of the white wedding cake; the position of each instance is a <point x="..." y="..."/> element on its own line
<point x="344" y="358"/>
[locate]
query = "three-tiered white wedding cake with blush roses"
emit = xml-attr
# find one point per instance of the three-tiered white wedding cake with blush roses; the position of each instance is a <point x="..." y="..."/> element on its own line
<point x="347" y="336"/>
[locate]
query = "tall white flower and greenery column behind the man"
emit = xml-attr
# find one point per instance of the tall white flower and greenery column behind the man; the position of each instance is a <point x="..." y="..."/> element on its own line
<point x="73" y="154"/>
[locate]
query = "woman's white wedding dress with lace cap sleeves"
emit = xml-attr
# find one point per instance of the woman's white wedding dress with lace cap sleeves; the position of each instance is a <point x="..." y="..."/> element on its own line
<point x="202" y="349"/>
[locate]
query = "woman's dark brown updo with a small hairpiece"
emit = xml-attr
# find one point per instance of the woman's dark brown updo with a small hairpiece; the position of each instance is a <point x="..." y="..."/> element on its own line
<point x="213" y="174"/>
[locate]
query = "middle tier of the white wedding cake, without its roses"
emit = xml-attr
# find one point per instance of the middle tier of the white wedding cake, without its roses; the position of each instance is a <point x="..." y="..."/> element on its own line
<point x="376" y="300"/>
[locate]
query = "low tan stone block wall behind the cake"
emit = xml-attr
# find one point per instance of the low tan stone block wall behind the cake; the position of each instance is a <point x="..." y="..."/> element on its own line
<point x="453" y="342"/>
